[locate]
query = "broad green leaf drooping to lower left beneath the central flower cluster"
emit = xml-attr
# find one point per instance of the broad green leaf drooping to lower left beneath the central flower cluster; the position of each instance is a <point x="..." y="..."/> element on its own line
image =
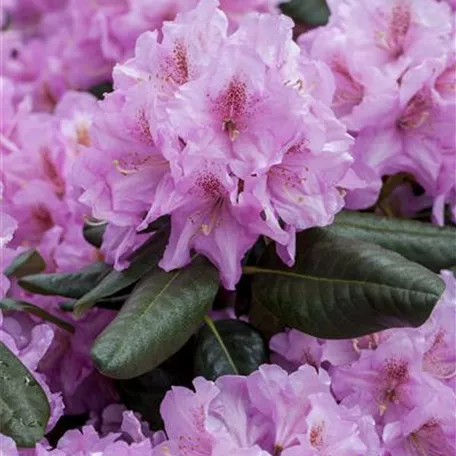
<point x="162" y="313"/>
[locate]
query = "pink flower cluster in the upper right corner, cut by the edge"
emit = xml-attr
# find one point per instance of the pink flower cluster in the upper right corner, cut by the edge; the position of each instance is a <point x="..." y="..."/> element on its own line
<point x="394" y="65"/>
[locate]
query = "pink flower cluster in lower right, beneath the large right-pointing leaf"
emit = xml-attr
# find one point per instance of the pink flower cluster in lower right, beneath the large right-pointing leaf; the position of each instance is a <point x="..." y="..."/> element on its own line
<point x="405" y="379"/>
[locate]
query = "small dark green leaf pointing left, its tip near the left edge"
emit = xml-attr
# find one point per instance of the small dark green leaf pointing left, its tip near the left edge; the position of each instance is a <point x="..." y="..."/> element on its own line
<point x="70" y="285"/>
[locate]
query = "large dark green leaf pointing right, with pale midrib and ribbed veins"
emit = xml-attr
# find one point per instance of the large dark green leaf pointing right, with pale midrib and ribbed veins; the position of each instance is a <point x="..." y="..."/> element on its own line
<point x="343" y="288"/>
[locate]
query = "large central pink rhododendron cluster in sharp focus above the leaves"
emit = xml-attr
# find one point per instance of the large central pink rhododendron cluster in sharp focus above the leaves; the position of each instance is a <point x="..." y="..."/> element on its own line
<point x="229" y="134"/>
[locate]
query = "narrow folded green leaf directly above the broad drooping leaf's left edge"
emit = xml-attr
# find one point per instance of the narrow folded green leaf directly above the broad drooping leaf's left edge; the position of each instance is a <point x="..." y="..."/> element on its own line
<point x="145" y="259"/>
